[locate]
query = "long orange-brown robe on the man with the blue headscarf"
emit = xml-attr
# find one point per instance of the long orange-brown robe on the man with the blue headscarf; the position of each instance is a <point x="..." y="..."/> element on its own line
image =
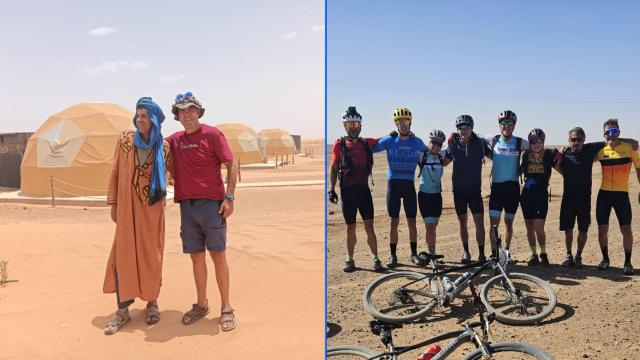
<point x="138" y="244"/>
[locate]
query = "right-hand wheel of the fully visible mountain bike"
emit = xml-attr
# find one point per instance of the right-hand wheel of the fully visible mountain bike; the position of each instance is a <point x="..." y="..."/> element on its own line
<point x="534" y="301"/>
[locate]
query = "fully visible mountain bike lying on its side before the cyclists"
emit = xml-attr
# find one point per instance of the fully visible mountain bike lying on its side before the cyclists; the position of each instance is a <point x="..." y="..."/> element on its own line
<point x="515" y="298"/>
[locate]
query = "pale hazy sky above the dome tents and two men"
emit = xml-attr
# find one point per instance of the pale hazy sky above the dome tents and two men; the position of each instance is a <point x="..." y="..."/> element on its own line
<point x="256" y="62"/>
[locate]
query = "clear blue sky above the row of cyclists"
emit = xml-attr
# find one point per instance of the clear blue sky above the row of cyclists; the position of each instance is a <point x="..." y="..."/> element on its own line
<point x="557" y="64"/>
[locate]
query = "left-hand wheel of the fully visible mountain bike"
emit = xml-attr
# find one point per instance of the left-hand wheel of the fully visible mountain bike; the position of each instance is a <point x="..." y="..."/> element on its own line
<point x="400" y="297"/>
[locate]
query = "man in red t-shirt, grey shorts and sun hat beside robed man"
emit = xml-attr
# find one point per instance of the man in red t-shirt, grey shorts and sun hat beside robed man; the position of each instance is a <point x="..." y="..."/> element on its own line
<point x="199" y="153"/>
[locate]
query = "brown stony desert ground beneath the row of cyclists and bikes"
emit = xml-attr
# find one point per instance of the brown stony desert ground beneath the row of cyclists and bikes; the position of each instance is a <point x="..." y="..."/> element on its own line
<point x="597" y="313"/>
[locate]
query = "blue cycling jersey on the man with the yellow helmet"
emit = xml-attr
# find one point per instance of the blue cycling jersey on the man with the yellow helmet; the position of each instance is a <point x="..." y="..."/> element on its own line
<point x="402" y="156"/>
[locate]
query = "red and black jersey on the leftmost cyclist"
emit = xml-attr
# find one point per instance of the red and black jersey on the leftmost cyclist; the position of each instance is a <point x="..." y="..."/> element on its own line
<point x="359" y="173"/>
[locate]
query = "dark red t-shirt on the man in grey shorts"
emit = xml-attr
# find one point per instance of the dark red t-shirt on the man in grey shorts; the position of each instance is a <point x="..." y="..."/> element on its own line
<point x="198" y="159"/>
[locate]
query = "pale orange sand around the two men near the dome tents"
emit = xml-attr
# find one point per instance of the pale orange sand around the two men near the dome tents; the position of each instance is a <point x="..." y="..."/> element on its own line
<point x="57" y="309"/>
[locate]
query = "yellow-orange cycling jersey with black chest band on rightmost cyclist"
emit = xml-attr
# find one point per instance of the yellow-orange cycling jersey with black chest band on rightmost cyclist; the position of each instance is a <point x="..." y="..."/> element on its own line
<point x="616" y="165"/>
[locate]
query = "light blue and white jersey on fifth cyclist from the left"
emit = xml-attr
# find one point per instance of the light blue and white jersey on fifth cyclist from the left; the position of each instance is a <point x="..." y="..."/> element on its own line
<point x="506" y="159"/>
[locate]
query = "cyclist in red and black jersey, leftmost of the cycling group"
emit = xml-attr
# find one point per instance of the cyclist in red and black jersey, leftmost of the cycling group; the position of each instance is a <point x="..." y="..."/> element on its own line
<point x="351" y="163"/>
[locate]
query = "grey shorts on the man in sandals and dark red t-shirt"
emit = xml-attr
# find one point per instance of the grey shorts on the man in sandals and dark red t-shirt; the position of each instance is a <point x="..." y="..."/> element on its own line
<point x="201" y="225"/>
